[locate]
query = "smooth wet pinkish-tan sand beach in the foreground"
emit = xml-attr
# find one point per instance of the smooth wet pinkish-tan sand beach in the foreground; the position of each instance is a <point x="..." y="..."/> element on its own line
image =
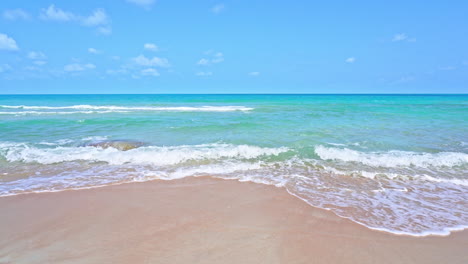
<point x="199" y="220"/>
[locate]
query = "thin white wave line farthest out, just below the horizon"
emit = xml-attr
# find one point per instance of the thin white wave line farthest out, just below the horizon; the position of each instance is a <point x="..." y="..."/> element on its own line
<point x="228" y="108"/>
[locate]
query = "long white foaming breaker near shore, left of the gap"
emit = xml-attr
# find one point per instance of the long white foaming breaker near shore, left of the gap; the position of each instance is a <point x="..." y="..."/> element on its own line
<point x="152" y="155"/>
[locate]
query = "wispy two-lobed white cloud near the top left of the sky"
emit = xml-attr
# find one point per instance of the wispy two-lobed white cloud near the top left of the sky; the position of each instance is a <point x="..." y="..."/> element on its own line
<point x="97" y="19"/>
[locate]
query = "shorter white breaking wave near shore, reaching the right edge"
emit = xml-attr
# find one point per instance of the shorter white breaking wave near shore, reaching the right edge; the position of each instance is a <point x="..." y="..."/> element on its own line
<point x="393" y="158"/>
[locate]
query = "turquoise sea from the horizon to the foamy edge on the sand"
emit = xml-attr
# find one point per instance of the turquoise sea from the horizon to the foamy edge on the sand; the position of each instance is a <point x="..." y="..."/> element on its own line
<point x="397" y="163"/>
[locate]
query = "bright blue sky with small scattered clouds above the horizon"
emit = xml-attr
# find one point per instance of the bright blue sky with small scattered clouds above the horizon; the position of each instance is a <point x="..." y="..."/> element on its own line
<point x="255" y="46"/>
